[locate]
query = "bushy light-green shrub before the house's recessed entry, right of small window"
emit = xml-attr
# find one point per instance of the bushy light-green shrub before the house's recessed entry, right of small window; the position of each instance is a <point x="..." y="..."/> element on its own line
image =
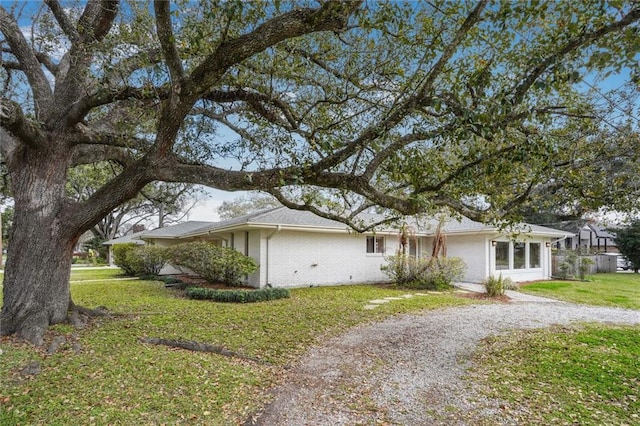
<point x="424" y="273"/>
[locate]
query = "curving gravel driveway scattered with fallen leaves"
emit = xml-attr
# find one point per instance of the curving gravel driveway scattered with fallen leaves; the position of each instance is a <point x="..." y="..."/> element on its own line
<point x="408" y="370"/>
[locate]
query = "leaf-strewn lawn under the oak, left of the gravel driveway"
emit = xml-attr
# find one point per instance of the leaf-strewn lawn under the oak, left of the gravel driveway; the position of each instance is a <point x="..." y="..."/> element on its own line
<point x="104" y="375"/>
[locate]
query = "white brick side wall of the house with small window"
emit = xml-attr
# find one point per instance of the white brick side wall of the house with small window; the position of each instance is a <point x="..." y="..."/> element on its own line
<point x="297" y="259"/>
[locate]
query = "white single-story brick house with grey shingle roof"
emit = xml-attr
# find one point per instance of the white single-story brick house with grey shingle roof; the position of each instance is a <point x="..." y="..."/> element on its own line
<point x="297" y="248"/>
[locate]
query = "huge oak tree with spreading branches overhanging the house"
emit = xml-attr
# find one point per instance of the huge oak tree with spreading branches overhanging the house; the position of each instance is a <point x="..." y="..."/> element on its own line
<point x="330" y="106"/>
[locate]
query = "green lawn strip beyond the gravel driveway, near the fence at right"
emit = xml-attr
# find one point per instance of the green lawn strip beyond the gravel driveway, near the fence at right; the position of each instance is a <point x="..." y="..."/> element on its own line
<point x="621" y="290"/>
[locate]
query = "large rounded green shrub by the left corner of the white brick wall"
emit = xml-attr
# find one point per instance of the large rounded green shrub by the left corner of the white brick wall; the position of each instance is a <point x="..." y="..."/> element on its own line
<point x="213" y="263"/>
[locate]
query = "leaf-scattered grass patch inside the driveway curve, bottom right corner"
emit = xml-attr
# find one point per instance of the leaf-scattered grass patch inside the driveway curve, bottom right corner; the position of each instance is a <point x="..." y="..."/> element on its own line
<point x="588" y="375"/>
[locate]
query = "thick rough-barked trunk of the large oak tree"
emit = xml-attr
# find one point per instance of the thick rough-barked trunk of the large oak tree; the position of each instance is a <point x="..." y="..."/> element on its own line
<point x="36" y="282"/>
